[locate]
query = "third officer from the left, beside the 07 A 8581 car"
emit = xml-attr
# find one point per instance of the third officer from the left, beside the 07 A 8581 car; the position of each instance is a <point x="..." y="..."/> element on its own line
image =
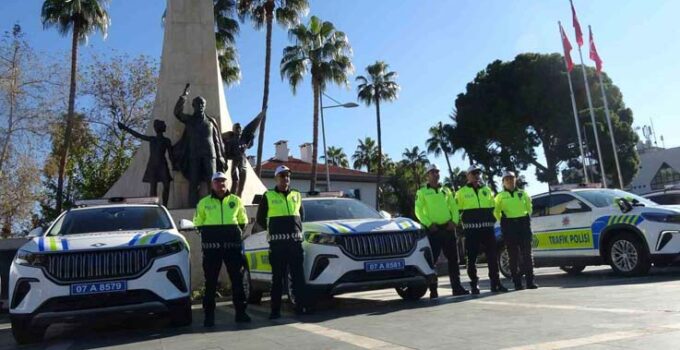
<point x="436" y="209"/>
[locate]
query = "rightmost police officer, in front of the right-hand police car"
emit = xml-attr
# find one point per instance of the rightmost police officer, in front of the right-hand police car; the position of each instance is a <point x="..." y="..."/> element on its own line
<point x="513" y="209"/>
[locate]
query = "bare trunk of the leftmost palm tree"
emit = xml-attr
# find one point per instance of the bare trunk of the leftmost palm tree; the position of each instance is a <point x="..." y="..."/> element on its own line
<point x="69" y="120"/>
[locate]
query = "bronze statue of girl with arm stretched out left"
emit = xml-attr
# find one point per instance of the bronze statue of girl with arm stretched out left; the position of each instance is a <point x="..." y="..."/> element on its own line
<point x="157" y="166"/>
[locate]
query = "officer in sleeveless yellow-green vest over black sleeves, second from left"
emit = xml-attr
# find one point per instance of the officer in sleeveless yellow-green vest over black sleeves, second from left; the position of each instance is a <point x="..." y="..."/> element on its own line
<point x="280" y="213"/>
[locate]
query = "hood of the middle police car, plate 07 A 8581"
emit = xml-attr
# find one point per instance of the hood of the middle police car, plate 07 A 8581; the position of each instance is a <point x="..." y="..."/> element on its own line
<point x="361" y="226"/>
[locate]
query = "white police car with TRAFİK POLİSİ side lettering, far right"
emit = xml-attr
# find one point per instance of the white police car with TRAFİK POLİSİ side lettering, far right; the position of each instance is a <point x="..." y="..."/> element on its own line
<point x="580" y="227"/>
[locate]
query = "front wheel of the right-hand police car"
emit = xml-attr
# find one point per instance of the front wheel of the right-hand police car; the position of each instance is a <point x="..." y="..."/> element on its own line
<point x="627" y="255"/>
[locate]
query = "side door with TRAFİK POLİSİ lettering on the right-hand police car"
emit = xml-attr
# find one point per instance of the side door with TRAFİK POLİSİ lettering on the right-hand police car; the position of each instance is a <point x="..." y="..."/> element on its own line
<point x="562" y="227"/>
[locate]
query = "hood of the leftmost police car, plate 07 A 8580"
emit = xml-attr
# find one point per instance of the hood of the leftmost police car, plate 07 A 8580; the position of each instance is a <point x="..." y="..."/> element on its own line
<point x="100" y="240"/>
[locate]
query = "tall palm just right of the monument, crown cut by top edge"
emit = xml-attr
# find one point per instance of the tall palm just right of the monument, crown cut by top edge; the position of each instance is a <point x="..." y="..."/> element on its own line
<point x="263" y="12"/>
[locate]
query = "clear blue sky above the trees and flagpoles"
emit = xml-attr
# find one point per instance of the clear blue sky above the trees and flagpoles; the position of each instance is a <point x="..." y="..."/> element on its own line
<point x="436" y="46"/>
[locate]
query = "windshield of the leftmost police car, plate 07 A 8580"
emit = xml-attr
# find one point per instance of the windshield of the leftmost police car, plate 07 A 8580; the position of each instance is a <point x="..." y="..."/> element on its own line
<point x="110" y="219"/>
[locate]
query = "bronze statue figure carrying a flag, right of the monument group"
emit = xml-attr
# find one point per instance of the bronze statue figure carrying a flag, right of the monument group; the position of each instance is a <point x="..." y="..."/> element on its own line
<point x="236" y="142"/>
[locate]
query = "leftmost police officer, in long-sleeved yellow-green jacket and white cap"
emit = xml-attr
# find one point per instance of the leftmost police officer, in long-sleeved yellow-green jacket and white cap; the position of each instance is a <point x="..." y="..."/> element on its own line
<point x="220" y="218"/>
